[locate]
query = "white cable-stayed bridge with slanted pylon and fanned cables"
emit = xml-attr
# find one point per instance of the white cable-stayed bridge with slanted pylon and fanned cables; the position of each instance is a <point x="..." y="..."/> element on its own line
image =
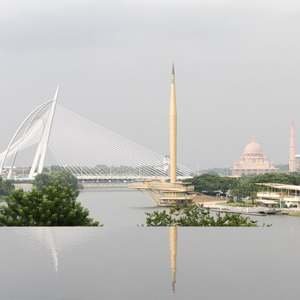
<point x="54" y="135"/>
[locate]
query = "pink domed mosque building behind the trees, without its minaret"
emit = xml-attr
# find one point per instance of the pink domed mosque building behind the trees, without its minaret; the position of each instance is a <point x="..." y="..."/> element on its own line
<point x="253" y="161"/>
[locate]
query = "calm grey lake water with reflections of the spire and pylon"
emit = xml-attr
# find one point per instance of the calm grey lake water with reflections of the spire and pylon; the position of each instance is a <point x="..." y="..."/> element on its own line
<point x="124" y="261"/>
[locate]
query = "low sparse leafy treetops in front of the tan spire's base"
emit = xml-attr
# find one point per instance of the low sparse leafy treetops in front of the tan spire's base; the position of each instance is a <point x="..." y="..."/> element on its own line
<point x="196" y="215"/>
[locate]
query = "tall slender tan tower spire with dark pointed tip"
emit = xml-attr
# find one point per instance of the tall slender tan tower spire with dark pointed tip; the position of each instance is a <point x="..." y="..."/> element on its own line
<point x="173" y="130"/>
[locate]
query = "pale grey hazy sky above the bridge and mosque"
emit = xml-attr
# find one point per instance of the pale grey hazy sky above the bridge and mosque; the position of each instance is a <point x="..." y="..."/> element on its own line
<point x="237" y="66"/>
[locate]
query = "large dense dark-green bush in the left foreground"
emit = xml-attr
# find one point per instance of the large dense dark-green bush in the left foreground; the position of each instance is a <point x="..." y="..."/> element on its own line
<point x="53" y="206"/>
